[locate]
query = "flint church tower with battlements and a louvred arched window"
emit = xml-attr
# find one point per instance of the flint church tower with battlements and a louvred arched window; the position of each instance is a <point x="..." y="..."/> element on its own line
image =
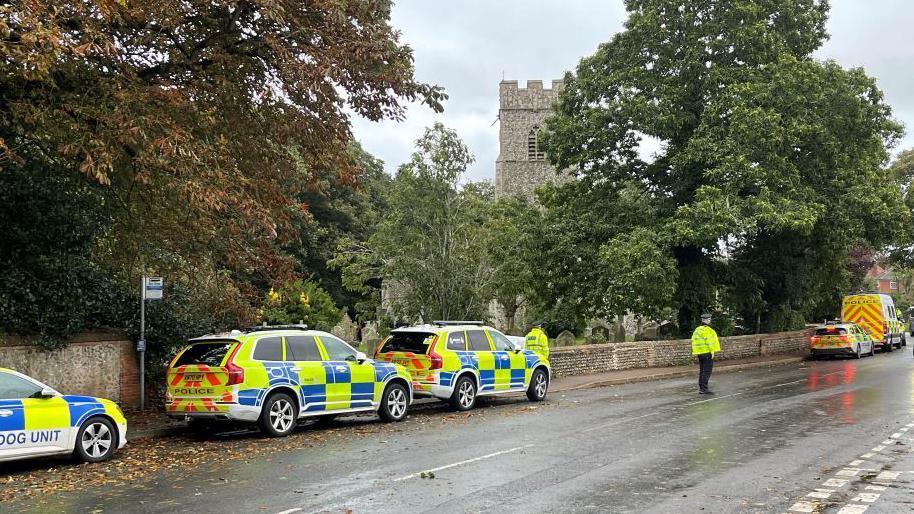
<point x="521" y="166"/>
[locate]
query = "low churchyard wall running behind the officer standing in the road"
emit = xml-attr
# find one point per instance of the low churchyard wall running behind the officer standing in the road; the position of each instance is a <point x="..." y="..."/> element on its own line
<point x="597" y="358"/>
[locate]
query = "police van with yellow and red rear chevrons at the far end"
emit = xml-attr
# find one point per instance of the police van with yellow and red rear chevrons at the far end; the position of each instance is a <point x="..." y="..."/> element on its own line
<point x="876" y="314"/>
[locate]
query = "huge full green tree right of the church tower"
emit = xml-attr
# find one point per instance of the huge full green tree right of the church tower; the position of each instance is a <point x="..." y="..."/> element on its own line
<point x="759" y="143"/>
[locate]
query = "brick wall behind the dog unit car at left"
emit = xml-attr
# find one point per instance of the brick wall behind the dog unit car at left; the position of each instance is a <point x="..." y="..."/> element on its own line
<point x="100" y="364"/>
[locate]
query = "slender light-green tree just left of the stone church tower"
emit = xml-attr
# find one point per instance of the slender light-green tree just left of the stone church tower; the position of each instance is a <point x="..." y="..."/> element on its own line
<point x="428" y="247"/>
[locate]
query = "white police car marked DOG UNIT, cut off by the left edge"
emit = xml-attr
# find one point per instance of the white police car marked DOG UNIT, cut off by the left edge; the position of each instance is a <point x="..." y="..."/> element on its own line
<point x="36" y="420"/>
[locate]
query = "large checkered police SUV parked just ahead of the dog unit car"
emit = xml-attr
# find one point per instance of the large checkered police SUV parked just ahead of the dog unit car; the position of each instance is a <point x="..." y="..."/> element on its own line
<point x="275" y="376"/>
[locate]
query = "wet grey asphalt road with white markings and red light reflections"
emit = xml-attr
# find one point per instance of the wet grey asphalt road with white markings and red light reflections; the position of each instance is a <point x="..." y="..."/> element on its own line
<point x="818" y="437"/>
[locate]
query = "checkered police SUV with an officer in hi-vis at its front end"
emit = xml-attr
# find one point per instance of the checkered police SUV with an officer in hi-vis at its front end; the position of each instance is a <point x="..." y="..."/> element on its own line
<point x="458" y="361"/>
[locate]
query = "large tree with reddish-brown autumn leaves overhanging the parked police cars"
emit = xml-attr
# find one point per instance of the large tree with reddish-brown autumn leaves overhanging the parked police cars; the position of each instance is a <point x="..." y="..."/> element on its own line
<point x="206" y="130"/>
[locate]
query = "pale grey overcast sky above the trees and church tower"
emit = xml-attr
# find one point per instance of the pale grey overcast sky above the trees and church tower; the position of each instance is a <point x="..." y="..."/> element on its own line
<point x="469" y="45"/>
